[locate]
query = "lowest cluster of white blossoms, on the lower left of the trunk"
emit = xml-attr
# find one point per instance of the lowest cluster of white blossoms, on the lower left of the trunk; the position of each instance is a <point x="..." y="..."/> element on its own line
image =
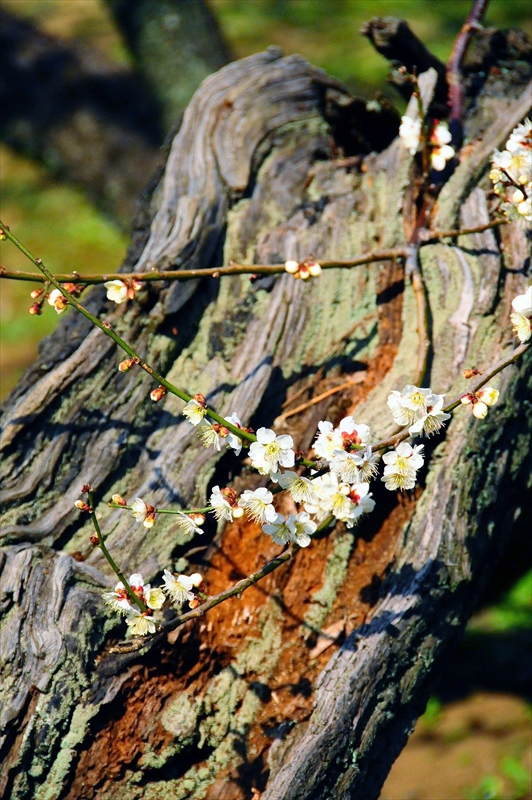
<point x="177" y="588"/>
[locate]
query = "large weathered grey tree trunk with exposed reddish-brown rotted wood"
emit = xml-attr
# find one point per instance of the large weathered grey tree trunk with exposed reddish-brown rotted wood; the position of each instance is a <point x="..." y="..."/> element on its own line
<point x="244" y="699"/>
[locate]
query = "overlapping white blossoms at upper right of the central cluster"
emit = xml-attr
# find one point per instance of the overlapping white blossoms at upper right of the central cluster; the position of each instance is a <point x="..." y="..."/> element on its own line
<point x="419" y="409"/>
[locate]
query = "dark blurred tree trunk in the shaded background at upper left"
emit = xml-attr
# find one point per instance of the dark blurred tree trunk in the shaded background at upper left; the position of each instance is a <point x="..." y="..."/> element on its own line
<point x="96" y="125"/>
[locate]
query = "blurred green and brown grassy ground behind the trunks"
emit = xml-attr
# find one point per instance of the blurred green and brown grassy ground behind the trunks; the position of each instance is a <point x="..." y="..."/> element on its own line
<point x="474" y="740"/>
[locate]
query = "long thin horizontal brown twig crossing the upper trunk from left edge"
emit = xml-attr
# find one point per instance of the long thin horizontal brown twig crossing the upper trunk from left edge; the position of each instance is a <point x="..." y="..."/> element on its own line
<point x="190" y="274"/>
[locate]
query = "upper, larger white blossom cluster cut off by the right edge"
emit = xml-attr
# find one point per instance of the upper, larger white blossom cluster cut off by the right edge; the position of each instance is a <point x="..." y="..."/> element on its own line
<point x="511" y="175"/>
